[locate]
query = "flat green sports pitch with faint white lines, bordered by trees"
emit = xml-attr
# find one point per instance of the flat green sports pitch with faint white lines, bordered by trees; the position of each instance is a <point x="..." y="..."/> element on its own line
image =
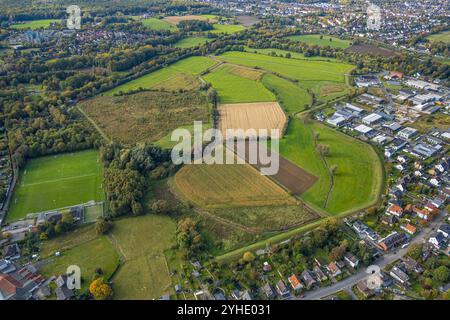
<point x="57" y="181"/>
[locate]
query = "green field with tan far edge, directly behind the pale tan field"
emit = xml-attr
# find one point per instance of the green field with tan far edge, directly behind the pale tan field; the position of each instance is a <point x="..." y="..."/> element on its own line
<point x="235" y="84"/>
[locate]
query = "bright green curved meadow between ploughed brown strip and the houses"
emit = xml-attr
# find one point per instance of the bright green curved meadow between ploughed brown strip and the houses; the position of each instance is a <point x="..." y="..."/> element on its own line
<point x="358" y="177"/>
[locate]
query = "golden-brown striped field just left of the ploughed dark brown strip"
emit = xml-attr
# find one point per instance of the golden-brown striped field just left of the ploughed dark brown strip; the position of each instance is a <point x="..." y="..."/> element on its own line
<point x="228" y="185"/>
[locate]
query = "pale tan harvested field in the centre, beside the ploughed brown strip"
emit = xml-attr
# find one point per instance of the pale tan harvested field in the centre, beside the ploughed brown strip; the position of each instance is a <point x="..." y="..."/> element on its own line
<point x="257" y="115"/>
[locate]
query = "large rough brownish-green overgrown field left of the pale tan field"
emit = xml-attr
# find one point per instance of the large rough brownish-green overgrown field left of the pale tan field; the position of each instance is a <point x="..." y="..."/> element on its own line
<point x="146" y="116"/>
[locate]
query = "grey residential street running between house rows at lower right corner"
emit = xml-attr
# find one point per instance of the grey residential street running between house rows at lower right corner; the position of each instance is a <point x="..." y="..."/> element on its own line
<point x="381" y="262"/>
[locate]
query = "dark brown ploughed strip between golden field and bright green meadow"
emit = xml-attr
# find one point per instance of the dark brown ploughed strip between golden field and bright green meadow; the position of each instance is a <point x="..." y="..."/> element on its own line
<point x="289" y="175"/>
